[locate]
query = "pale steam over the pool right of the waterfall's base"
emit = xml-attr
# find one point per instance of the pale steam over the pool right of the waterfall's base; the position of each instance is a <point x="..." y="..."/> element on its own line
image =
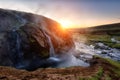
<point x="69" y="59"/>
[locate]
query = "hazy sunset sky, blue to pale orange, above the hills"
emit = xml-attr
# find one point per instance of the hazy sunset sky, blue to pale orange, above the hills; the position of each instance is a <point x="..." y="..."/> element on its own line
<point x="70" y="13"/>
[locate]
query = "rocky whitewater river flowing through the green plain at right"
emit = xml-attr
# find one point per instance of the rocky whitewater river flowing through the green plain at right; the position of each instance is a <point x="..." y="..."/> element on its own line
<point x="101" y="50"/>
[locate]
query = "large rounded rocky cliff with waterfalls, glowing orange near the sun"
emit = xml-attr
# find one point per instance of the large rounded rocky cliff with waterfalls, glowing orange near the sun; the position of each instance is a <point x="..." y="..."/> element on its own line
<point x="28" y="39"/>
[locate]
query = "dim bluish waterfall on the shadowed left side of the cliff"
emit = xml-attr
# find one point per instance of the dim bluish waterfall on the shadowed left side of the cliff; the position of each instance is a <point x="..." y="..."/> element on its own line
<point x="15" y="47"/>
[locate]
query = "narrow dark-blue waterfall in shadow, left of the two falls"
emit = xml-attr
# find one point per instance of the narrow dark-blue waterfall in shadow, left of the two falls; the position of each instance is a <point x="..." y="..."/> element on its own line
<point x="17" y="50"/>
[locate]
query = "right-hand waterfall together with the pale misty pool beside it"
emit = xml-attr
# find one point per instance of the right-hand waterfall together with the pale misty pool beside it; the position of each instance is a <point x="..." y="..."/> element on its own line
<point x="67" y="59"/>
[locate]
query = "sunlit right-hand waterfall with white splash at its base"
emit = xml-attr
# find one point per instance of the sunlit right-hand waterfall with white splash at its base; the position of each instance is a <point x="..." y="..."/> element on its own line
<point x="53" y="57"/>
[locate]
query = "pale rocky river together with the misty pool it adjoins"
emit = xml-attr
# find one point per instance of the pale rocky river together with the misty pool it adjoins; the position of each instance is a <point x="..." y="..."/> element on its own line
<point x="83" y="53"/>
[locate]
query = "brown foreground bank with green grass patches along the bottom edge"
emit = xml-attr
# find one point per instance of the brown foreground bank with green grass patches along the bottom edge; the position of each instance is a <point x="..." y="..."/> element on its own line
<point x="100" y="69"/>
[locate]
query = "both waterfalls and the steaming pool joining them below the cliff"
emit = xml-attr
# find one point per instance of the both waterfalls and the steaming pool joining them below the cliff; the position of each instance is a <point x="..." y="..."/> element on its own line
<point x="65" y="59"/>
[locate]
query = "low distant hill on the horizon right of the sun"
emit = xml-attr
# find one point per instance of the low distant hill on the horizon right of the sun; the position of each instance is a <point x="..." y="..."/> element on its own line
<point x="109" y="29"/>
